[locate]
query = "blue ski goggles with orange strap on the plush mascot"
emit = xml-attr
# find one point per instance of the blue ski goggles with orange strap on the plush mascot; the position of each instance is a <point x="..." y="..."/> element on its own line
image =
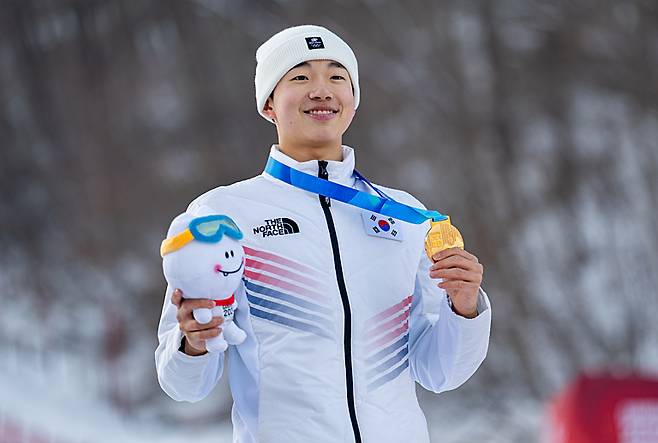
<point x="207" y="229"/>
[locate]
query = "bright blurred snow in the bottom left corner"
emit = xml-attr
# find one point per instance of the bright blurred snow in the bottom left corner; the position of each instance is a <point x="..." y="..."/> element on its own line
<point x="40" y="413"/>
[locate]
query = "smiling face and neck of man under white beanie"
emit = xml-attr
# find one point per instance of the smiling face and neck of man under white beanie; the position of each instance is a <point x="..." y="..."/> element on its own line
<point x="312" y="106"/>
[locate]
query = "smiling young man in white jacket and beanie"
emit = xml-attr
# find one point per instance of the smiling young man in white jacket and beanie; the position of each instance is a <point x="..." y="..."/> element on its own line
<point x="343" y="310"/>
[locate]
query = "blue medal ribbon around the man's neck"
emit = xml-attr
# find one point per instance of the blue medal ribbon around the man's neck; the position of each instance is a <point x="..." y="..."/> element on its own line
<point x="381" y="204"/>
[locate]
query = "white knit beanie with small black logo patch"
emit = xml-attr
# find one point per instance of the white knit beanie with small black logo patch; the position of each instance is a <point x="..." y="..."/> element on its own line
<point x="295" y="45"/>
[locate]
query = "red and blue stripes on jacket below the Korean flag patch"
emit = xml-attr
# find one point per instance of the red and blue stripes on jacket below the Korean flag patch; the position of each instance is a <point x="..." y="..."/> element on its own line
<point x="386" y="340"/>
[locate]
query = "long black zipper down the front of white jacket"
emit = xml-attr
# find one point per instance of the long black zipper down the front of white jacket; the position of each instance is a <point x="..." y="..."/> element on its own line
<point x="325" y="202"/>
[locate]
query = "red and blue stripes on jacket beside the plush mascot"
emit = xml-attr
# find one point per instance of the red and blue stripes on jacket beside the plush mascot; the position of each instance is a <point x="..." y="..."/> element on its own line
<point x="286" y="292"/>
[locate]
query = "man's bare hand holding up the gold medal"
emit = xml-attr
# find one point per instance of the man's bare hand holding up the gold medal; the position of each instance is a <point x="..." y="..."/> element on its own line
<point x="462" y="274"/>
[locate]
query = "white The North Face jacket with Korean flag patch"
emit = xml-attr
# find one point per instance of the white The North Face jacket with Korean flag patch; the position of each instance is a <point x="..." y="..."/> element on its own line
<point x="340" y="323"/>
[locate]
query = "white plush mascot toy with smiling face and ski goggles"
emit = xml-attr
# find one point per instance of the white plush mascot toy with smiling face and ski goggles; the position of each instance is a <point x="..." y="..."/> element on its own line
<point x="202" y="257"/>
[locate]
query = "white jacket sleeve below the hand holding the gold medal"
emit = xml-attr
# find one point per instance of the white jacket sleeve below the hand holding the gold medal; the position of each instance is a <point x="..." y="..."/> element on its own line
<point x="445" y="349"/>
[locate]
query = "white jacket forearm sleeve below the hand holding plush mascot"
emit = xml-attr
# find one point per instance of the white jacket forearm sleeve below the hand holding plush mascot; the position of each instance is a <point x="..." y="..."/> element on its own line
<point x="181" y="376"/>
